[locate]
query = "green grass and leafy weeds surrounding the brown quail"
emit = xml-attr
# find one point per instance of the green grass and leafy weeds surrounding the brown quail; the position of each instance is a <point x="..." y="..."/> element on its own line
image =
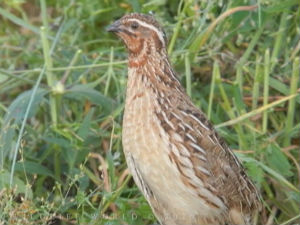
<point x="62" y="85"/>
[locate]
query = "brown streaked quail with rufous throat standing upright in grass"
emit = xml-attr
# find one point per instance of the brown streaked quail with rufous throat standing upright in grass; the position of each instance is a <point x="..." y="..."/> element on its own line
<point x="185" y="170"/>
